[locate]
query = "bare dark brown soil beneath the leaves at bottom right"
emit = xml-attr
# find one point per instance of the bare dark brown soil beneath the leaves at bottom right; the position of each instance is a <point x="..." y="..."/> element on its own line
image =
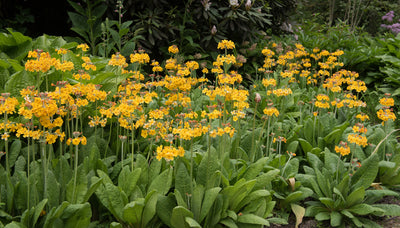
<point x="386" y="221"/>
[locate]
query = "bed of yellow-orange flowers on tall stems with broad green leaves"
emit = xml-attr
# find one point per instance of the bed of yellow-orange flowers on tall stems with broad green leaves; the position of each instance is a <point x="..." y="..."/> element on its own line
<point x="211" y="141"/>
